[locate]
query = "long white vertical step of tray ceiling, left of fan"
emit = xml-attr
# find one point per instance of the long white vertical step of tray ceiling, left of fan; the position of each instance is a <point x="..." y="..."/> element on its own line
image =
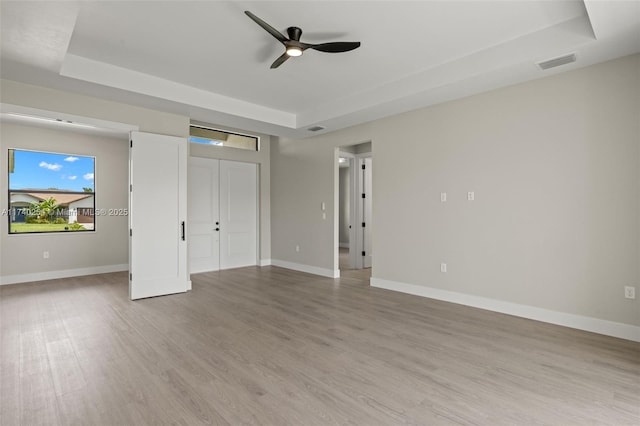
<point x="85" y="69"/>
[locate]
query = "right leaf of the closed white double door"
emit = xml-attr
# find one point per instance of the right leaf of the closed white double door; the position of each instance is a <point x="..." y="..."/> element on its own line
<point x="238" y="214"/>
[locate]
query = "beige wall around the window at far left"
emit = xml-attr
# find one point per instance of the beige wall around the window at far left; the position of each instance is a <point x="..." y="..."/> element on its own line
<point x="108" y="245"/>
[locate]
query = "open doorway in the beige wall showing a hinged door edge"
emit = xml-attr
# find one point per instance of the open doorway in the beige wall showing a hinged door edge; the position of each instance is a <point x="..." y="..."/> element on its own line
<point x="355" y="196"/>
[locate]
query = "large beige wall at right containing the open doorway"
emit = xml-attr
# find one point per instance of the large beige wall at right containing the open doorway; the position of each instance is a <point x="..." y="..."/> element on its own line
<point x="554" y="164"/>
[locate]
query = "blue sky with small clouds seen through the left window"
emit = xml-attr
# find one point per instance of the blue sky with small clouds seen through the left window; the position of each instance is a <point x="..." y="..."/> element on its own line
<point x="42" y="170"/>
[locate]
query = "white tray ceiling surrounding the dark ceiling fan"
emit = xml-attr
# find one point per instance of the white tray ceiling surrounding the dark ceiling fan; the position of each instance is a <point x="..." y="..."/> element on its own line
<point x="206" y="59"/>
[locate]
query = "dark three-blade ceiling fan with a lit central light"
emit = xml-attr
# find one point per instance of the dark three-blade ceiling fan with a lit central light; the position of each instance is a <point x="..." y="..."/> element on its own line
<point x="293" y="45"/>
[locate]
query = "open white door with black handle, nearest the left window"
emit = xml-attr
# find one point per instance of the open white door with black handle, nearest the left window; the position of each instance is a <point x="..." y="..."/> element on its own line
<point x="157" y="215"/>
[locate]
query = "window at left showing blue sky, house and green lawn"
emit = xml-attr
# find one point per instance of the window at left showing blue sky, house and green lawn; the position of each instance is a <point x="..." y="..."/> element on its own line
<point x="50" y="192"/>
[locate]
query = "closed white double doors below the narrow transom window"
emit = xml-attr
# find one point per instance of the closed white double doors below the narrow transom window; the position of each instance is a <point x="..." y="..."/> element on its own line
<point x="223" y="214"/>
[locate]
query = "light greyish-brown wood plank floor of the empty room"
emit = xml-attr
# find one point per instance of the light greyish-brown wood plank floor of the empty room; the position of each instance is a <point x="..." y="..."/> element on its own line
<point x="275" y="347"/>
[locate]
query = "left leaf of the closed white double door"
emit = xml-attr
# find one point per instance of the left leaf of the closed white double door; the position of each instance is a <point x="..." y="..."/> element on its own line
<point x="204" y="219"/>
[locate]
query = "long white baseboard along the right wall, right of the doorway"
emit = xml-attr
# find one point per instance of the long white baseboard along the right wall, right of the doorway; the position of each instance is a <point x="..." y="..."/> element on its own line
<point x="595" y="325"/>
